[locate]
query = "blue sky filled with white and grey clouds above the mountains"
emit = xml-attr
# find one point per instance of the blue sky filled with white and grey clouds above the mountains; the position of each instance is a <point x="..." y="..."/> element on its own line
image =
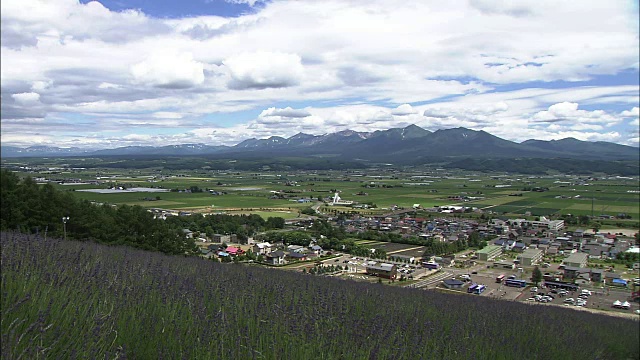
<point x="115" y="73"/>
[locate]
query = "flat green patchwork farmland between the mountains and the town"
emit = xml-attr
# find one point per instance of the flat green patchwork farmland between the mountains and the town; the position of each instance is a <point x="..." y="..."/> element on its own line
<point x="510" y="195"/>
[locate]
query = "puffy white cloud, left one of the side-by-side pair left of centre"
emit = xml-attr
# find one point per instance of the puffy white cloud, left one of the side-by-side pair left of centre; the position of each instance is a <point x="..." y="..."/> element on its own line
<point x="169" y="70"/>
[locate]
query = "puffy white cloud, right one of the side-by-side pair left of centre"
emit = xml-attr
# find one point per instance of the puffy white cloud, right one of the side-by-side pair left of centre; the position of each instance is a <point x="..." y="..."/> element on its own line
<point x="260" y="70"/>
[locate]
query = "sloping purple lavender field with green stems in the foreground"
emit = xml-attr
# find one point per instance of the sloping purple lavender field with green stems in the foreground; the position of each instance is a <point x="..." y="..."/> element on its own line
<point x="80" y="300"/>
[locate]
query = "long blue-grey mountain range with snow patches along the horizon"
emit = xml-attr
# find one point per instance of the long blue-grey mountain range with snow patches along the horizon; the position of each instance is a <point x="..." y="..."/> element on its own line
<point x="411" y="144"/>
